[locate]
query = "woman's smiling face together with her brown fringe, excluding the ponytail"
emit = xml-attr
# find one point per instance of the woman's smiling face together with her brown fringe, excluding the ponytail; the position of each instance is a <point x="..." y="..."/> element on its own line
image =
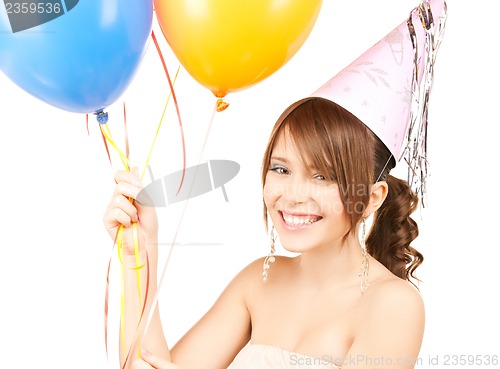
<point x="317" y="173"/>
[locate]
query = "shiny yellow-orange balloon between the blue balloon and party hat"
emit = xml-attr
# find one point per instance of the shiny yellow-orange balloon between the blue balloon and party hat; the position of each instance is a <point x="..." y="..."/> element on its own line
<point x="229" y="45"/>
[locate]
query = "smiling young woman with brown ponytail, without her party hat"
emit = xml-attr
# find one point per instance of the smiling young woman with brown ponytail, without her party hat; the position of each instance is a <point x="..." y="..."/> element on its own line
<point x="324" y="172"/>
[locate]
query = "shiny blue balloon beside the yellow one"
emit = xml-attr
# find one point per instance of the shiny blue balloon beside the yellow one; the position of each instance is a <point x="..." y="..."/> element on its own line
<point x="79" y="56"/>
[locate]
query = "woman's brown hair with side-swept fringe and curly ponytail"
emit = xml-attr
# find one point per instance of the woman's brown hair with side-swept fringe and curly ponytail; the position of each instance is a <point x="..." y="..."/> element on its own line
<point x="343" y="149"/>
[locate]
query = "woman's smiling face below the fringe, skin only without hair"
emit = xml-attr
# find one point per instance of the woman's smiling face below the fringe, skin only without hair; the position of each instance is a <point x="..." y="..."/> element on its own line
<point x="304" y="204"/>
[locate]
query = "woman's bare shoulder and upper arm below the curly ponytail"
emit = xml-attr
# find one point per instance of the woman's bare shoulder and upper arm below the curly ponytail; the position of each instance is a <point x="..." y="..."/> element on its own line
<point x="389" y="334"/>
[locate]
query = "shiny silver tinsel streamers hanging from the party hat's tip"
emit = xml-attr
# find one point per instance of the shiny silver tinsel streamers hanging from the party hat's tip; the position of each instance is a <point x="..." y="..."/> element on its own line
<point x="422" y="80"/>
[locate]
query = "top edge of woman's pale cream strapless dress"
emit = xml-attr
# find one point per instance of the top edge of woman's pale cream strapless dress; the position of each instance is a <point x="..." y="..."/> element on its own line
<point x="258" y="356"/>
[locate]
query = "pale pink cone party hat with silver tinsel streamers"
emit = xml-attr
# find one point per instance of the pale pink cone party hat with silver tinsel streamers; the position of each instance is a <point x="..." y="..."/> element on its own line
<point x="388" y="87"/>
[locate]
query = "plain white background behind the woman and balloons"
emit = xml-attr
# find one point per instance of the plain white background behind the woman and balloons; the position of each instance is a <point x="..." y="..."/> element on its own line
<point x="56" y="181"/>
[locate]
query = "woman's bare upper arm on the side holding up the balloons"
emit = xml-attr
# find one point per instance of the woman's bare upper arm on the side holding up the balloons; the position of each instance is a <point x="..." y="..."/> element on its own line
<point x="218" y="336"/>
